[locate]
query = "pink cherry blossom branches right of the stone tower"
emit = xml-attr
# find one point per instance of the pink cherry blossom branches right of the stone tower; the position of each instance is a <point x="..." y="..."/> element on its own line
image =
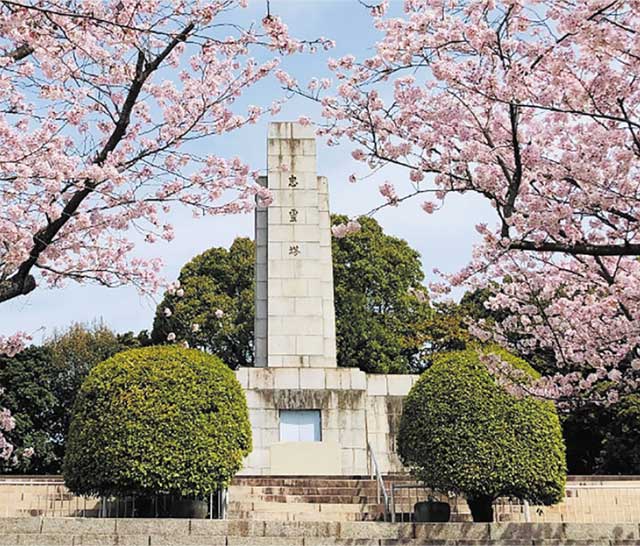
<point x="535" y="106"/>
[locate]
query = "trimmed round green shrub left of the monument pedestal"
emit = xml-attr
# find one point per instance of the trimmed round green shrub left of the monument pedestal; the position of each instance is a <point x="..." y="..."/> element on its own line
<point x="157" y="420"/>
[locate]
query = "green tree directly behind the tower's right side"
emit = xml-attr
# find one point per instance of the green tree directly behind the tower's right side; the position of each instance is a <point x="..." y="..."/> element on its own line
<point x="379" y="299"/>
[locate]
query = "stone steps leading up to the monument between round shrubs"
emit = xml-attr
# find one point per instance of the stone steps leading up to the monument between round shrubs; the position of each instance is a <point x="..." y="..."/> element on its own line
<point x="304" y="498"/>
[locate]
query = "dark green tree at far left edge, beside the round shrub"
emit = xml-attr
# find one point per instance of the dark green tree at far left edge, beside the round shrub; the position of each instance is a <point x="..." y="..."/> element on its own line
<point x="28" y="382"/>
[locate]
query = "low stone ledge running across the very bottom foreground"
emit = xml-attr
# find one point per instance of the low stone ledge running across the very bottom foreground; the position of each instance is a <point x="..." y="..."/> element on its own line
<point x="29" y="531"/>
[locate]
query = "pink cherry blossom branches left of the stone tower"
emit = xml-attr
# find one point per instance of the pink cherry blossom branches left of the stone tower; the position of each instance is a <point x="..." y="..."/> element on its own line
<point x="101" y="102"/>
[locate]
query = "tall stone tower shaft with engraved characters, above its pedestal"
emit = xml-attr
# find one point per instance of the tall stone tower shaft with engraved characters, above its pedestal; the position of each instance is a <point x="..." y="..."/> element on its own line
<point x="295" y="316"/>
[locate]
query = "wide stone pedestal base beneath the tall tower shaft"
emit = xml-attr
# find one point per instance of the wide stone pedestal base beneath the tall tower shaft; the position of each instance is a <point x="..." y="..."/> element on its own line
<point x="356" y="409"/>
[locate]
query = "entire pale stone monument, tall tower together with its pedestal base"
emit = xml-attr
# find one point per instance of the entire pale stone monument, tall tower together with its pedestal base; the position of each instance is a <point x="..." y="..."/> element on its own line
<point x="308" y="416"/>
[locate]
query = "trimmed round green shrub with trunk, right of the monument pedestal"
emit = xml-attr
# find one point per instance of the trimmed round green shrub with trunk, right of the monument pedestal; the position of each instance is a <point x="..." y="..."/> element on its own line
<point x="462" y="432"/>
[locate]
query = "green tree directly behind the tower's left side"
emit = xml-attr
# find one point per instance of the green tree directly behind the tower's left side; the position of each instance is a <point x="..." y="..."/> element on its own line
<point x="218" y="279"/>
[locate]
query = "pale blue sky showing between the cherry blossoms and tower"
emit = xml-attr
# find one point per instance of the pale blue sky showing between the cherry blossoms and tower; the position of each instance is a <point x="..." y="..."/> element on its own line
<point x="444" y="240"/>
